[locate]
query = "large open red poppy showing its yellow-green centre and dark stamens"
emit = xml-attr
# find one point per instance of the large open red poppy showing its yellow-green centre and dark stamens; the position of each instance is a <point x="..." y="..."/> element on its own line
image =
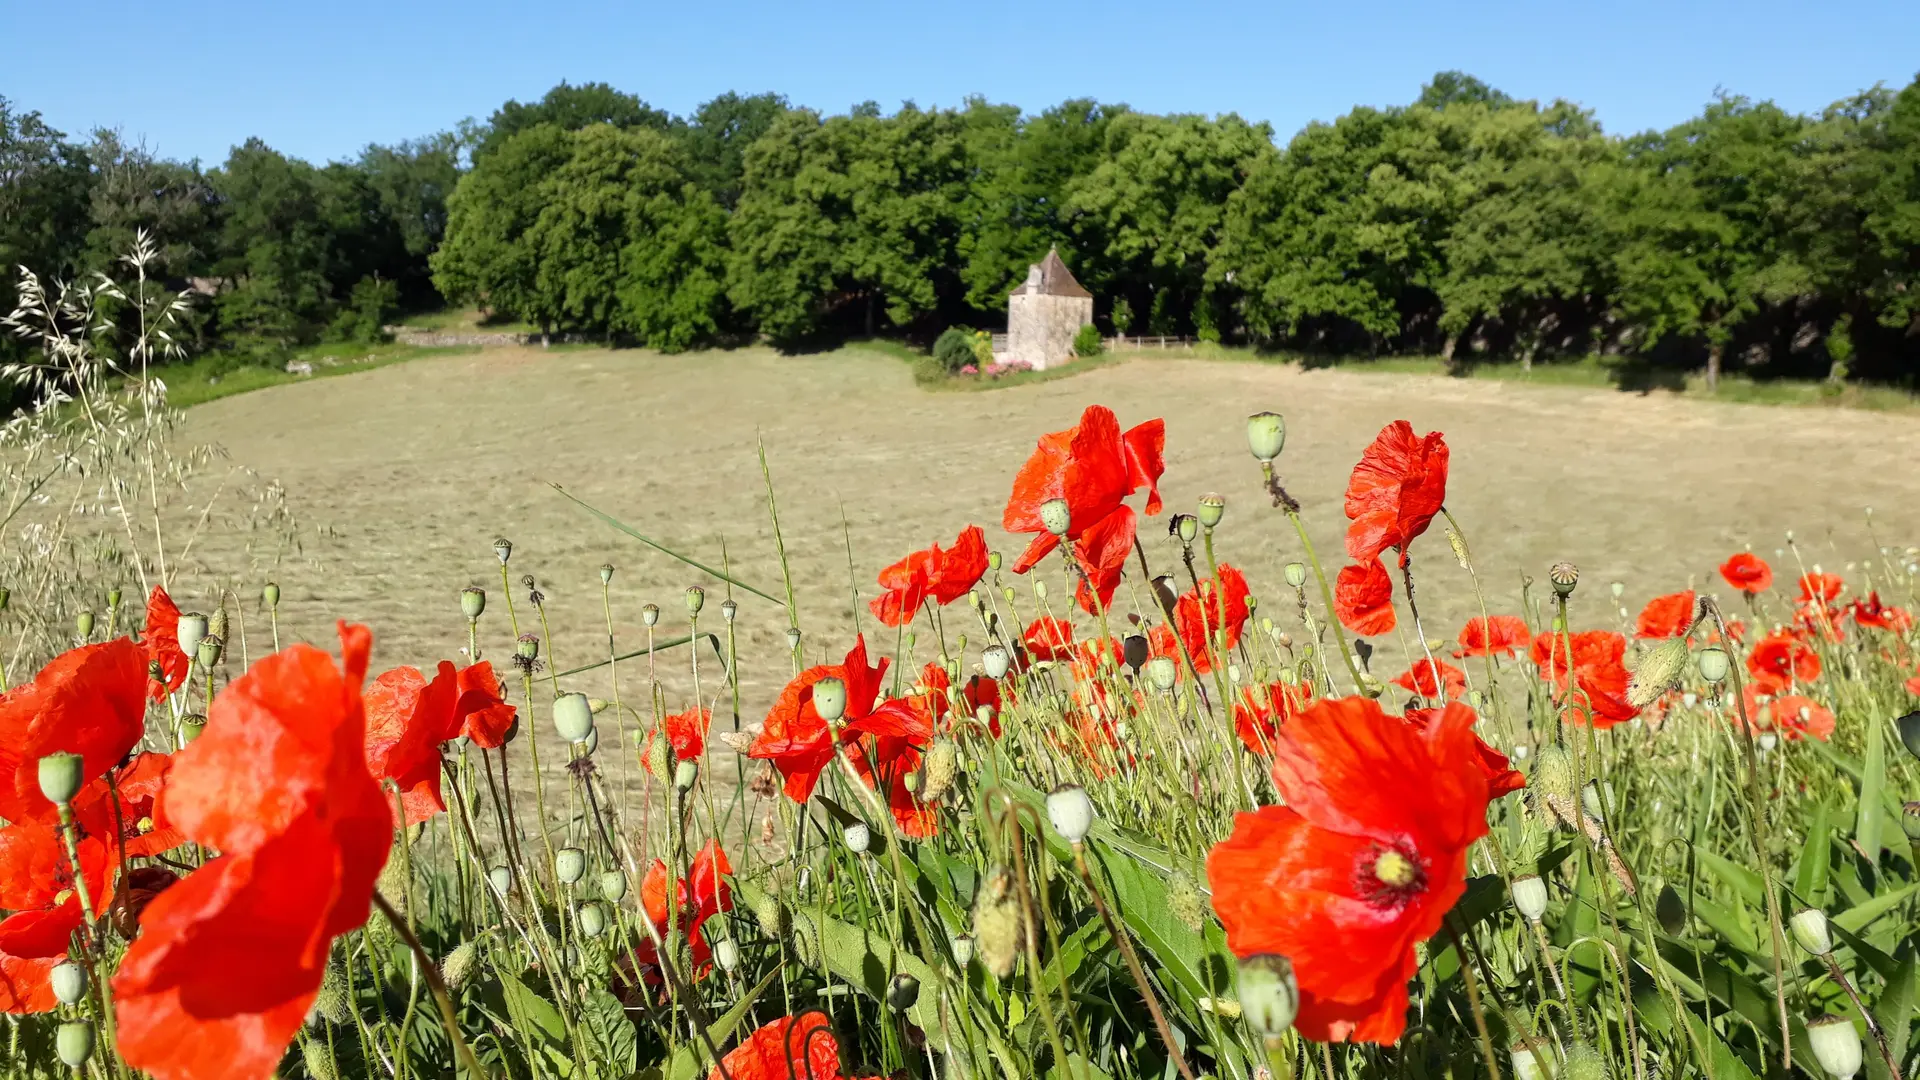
<point x="1360" y="866"/>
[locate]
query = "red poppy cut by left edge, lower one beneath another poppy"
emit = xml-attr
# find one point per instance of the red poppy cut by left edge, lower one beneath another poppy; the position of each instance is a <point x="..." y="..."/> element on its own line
<point x="37" y="887"/>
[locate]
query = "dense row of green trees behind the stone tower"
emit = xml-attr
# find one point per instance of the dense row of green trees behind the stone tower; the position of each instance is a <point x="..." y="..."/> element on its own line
<point x="1466" y="224"/>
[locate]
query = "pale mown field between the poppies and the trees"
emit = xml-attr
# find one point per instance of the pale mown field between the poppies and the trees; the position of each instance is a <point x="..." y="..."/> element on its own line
<point x="418" y="468"/>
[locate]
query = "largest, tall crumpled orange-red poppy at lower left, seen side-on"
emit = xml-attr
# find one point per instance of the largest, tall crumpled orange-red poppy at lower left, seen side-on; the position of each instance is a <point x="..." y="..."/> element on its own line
<point x="231" y="958"/>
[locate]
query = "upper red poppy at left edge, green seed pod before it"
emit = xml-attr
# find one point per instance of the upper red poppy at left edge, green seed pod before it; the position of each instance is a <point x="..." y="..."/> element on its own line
<point x="89" y="700"/>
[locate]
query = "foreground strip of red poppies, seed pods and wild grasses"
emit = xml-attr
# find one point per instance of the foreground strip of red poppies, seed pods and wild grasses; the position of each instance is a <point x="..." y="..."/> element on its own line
<point x="1095" y="806"/>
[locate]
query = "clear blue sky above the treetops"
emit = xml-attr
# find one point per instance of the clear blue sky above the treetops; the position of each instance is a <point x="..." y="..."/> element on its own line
<point x="325" y="80"/>
